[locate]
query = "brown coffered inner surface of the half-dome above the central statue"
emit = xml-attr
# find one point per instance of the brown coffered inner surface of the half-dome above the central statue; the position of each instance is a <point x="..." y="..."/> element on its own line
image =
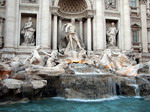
<point x="72" y="6"/>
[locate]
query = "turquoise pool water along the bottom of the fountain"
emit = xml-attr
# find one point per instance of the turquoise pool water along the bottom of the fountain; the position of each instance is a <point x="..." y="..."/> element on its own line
<point x="61" y="105"/>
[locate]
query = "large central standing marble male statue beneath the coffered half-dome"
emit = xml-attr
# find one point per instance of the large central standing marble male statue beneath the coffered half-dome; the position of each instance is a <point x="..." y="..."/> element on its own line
<point x="73" y="41"/>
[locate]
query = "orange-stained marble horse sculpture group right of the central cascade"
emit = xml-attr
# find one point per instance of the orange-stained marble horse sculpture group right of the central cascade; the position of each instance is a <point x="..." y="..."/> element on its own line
<point x="119" y="63"/>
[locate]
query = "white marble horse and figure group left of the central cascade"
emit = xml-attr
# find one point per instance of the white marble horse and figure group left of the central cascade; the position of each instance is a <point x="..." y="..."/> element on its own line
<point x="38" y="66"/>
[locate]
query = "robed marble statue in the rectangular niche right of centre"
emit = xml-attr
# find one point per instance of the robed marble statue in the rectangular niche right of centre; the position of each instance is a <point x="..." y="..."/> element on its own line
<point x="111" y="35"/>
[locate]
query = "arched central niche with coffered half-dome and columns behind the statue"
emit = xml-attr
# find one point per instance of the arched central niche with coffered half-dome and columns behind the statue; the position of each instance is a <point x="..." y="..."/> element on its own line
<point x="63" y="11"/>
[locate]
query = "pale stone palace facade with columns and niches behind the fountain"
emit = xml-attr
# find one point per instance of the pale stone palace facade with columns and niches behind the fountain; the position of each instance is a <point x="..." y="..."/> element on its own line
<point x="25" y="24"/>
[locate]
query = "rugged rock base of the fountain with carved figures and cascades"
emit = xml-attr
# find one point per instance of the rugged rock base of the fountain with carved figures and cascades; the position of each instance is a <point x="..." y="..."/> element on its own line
<point x="74" y="75"/>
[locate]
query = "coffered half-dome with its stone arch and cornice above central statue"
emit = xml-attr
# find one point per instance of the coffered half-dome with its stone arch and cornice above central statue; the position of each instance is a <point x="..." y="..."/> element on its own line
<point x="72" y="8"/>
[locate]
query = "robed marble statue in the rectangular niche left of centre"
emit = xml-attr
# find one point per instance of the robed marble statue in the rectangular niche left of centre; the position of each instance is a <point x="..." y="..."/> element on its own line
<point x="28" y="33"/>
